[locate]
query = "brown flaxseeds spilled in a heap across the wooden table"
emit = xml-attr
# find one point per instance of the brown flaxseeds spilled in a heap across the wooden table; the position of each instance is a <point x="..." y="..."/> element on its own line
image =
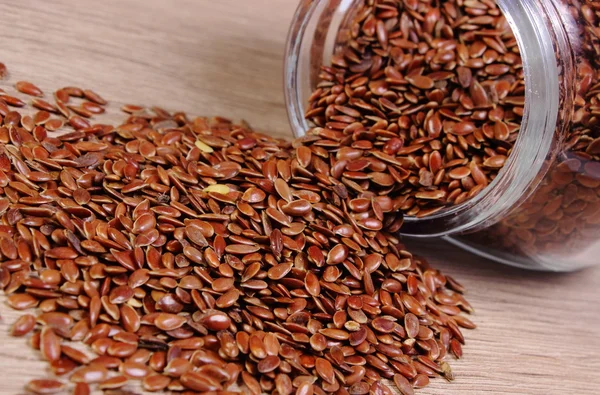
<point x="200" y="256"/>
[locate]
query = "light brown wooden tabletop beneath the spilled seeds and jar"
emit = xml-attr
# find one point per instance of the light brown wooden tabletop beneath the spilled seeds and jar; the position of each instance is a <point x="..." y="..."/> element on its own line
<point x="538" y="333"/>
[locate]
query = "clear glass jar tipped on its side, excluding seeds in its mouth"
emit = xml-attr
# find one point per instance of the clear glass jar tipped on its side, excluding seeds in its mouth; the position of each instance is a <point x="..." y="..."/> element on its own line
<point x="542" y="211"/>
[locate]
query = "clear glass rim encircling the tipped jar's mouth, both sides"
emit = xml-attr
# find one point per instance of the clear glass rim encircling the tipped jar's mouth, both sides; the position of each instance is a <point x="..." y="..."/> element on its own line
<point x="526" y="163"/>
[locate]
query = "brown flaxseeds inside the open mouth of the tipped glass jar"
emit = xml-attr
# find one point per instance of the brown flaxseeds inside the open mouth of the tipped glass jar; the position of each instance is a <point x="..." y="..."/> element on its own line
<point x="432" y="91"/>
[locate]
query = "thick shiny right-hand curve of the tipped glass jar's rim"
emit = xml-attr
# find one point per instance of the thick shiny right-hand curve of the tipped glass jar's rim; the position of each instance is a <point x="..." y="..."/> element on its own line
<point x="549" y="80"/>
